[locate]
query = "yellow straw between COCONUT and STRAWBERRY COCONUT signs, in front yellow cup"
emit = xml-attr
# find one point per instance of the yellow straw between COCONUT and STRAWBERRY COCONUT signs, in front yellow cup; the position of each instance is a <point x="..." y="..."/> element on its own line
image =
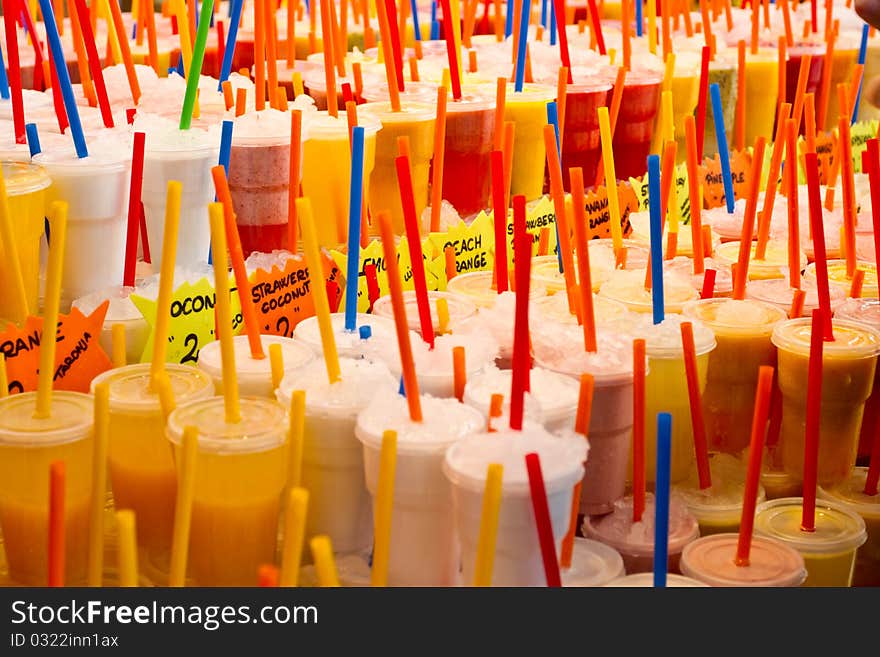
<point x="224" y="313"/>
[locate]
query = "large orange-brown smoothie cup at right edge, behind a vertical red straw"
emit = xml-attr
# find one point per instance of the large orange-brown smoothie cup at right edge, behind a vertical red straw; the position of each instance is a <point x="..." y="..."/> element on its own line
<point x="848" y="367"/>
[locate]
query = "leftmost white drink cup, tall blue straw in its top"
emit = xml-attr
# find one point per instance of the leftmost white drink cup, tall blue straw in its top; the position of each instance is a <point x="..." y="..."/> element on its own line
<point x="96" y="190"/>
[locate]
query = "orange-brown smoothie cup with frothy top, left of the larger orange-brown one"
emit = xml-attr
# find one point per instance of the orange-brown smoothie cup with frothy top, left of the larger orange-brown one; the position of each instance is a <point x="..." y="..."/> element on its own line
<point x="742" y="332"/>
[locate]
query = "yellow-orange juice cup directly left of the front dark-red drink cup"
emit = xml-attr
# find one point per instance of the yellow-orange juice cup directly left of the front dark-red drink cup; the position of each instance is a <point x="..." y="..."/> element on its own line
<point x="416" y="122"/>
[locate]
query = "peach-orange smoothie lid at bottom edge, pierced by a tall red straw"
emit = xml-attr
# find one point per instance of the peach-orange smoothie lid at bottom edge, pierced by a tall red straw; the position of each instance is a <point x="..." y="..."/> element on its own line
<point x="711" y="559"/>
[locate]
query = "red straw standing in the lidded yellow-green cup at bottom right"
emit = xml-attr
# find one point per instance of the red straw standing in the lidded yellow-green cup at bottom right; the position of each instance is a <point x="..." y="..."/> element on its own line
<point x="814" y="410"/>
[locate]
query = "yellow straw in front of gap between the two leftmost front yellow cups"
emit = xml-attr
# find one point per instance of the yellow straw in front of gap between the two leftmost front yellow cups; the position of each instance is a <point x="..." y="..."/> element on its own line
<point x="99" y="485"/>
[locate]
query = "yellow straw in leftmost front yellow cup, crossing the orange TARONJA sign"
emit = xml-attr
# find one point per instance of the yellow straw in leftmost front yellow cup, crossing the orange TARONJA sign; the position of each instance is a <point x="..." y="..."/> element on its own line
<point x="50" y="312"/>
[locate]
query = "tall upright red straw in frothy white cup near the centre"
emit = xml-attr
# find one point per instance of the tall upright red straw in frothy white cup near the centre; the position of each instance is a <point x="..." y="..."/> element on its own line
<point x="522" y="271"/>
